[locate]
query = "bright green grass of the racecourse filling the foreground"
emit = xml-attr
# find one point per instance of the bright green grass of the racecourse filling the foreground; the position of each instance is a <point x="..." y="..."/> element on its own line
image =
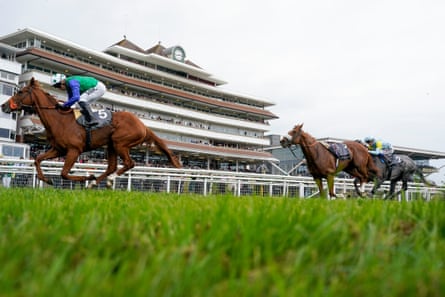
<point x="105" y="243"/>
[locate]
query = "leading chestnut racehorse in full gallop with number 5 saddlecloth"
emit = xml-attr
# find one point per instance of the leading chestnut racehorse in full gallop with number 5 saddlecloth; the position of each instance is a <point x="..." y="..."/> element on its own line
<point x="69" y="139"/>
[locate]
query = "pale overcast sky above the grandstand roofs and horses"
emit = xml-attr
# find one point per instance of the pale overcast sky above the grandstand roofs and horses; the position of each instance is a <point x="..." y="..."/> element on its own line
<point x="344" y="68"/>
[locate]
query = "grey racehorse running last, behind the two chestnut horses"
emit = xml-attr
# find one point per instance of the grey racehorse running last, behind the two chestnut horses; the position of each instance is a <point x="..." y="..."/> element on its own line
<point x="403" y="169"/>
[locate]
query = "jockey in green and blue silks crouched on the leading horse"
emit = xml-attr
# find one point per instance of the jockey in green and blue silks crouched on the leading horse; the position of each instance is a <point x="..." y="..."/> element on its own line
<point x="80" y="89"/>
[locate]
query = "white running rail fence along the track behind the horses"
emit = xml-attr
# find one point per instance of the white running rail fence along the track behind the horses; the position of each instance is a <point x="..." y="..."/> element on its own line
<point x="205" y="182"/>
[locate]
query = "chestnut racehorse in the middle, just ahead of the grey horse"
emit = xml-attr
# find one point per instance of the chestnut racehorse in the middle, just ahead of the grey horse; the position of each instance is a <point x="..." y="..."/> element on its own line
<point x="322" y="164"/>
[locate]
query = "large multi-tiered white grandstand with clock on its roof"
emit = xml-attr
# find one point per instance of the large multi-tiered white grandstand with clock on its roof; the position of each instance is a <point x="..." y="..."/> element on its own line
<point x="205" y="125"/>
